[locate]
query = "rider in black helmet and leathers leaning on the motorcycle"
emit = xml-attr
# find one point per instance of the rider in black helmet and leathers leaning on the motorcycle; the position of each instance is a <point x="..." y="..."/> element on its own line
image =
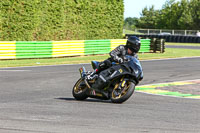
<point x="118" y="55"/>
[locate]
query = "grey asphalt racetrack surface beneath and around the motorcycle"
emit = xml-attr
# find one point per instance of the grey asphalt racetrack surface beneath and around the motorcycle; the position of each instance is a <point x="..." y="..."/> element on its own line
<point x="39" y="100"/>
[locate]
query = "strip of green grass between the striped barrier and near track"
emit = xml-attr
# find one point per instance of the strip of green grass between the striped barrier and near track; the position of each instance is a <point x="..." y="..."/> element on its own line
<point x="170" y="53"/>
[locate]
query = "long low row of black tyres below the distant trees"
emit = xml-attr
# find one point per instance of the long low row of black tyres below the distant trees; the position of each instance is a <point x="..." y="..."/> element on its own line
<point x="170" y="38"/>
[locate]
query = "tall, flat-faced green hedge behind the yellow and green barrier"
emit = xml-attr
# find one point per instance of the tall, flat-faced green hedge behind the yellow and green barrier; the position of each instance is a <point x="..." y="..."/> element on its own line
<point x="42" y="20"/>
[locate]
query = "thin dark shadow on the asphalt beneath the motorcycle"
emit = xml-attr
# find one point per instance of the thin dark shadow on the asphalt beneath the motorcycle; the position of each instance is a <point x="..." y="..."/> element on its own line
<point x="87" y="100"/>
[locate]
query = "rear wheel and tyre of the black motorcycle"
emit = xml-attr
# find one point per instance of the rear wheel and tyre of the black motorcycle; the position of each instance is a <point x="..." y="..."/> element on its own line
<point x="79" y="90"/>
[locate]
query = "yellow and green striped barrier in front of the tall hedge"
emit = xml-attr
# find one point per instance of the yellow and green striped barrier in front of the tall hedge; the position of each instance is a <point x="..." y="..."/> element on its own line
<point x="48" y="49"/>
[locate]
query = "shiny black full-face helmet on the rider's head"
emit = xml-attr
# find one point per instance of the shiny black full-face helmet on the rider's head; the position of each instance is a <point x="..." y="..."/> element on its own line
<point x="133" y="43"/>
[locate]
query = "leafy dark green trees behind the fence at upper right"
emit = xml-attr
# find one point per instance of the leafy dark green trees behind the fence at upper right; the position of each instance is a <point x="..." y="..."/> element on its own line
<point x="184" y="14"/>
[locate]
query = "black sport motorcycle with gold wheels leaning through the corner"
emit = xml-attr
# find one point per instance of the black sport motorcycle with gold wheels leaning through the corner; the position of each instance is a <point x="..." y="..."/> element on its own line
<point x="116" y="83"/>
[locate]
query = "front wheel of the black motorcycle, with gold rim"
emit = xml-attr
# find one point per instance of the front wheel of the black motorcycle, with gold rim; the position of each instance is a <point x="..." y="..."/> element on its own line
<point x="121" y="95"/>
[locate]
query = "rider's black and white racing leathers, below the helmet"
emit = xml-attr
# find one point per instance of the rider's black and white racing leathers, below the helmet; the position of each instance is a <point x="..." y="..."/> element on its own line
<point x="118" y="55"/>
